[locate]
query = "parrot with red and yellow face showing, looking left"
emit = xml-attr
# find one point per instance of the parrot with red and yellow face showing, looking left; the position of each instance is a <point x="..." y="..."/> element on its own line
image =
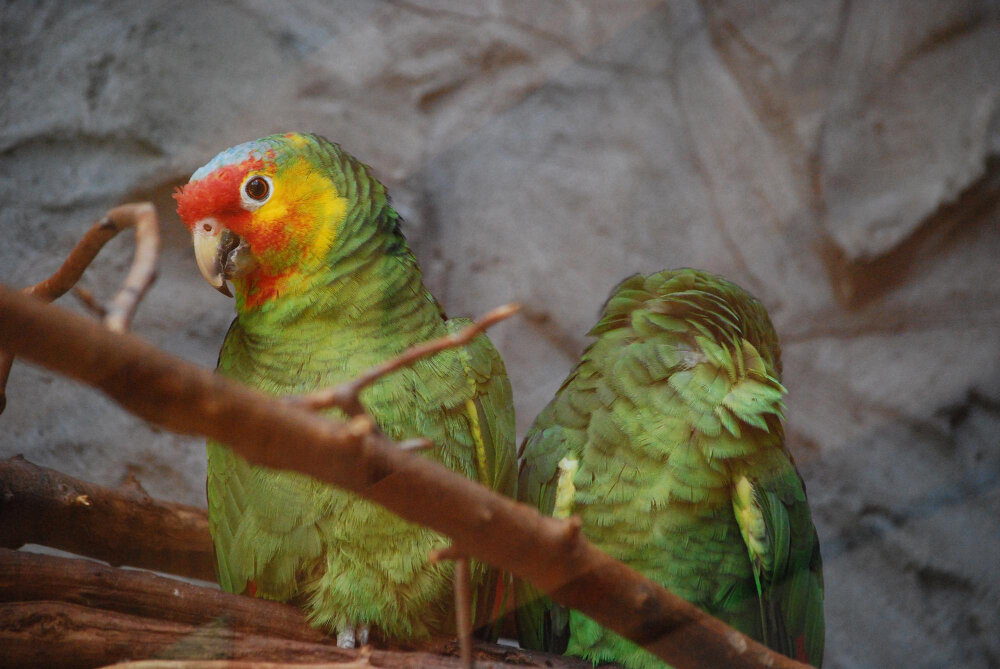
<point x="326" y="287"/>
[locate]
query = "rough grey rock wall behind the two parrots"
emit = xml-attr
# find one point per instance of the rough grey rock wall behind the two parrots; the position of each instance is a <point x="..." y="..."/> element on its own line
<point x="839" y="159"/>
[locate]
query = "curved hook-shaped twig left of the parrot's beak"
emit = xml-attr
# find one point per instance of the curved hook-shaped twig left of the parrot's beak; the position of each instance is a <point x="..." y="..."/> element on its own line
<point x="118" y="316"/>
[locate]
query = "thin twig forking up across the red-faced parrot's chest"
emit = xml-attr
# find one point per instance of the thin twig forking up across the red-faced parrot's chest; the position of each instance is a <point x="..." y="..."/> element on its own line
<point x="346" y="395"/>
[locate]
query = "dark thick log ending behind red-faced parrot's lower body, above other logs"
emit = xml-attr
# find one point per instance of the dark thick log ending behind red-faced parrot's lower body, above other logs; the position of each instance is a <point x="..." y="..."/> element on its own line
<point x="121" y="525"/>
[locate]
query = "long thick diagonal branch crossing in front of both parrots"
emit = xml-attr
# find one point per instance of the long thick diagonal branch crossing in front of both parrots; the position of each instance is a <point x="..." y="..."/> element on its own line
<point x="550" y="553"/>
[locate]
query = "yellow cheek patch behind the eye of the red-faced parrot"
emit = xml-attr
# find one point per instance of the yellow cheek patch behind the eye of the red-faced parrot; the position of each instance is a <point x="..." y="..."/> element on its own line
<point x="304" y="214"/>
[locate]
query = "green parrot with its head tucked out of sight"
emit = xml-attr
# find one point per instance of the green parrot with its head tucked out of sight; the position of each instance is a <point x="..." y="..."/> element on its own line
<point x="666" y="440"/>
